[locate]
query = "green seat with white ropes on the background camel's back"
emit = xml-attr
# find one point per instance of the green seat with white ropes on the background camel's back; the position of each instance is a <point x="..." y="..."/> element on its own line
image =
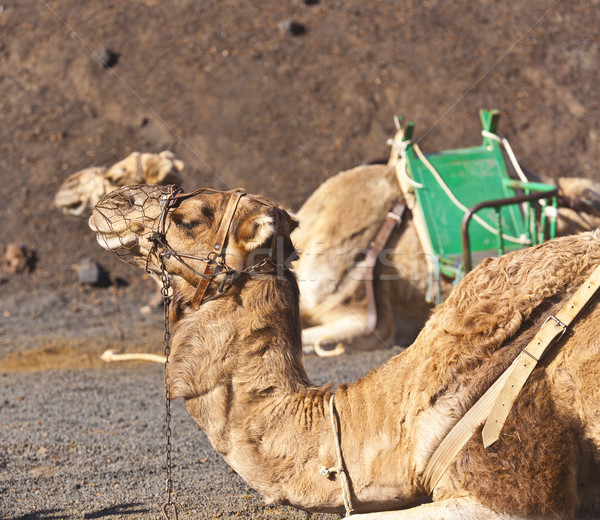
<point x="466" y="205"/>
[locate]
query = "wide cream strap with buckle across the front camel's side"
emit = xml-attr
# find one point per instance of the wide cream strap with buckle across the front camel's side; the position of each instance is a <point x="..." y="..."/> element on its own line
<point x="495" y="404"/>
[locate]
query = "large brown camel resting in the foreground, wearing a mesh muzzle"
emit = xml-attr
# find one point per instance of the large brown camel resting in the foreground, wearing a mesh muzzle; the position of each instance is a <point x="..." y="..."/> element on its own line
<point x="236" y="359"/>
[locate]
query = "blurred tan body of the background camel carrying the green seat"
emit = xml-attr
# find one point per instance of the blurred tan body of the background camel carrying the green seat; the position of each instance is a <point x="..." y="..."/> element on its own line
<point x="337" y="223"/>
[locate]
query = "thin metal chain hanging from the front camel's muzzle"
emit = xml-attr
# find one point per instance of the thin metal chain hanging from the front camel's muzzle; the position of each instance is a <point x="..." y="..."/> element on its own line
<point x="169" y="506"/>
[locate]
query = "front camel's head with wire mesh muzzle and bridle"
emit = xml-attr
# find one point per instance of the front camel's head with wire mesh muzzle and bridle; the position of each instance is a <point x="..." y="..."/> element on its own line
<point x="154" y="226"/>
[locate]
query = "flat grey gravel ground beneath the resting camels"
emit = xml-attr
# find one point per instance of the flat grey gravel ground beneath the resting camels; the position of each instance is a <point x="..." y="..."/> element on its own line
<point x="89" y="443"/>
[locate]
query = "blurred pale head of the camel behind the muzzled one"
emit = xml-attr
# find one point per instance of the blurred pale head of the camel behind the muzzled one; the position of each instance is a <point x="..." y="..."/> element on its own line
<point x="81" y="191"/>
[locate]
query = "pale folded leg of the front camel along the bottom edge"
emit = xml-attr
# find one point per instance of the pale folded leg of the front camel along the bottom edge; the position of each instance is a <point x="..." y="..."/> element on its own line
<point x="451" y="509"/>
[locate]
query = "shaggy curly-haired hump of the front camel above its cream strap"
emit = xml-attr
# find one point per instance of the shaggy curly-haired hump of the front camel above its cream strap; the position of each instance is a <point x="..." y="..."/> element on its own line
<point x="492" y="302"/>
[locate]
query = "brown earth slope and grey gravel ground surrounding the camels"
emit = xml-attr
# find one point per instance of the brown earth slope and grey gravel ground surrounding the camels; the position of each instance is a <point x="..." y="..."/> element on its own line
<point x="246" y="98"/>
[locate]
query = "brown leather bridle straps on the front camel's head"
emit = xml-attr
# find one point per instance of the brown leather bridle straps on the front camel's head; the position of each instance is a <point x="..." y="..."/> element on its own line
<point x="215" y="258"/>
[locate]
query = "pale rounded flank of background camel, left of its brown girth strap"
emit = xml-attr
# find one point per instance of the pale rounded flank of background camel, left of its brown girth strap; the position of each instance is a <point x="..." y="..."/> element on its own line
<point x="337" y="223"/>
